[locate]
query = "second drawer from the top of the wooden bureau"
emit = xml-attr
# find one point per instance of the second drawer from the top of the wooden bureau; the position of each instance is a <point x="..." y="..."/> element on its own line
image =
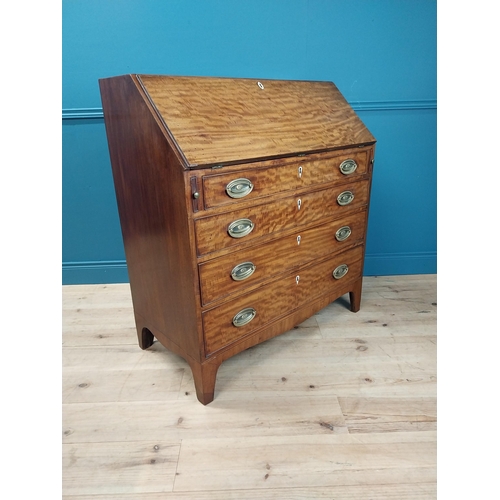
<point x="213" y="233"/>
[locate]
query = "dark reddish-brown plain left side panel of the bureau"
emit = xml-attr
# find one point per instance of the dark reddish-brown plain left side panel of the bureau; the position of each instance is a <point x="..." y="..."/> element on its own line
<point x="151" y="201"/>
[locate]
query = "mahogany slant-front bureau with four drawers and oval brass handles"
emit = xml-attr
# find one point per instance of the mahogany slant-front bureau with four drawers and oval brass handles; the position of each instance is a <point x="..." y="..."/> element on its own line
<point x="243" y="206"/>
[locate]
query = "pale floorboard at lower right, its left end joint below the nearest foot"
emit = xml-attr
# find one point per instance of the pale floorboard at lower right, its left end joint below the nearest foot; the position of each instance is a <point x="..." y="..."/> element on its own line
<point x="306" y="461"/>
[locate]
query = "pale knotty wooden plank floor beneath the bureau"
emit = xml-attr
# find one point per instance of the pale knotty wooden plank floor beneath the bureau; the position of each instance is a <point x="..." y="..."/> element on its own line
<point x="341" y="407"/>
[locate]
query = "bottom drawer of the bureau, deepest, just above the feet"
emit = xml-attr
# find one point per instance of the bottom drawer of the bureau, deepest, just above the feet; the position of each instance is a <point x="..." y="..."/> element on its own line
<point x="275" y="300"/>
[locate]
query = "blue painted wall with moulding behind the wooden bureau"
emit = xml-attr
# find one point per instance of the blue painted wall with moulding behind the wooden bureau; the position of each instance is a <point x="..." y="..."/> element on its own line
<point x="381" y="54"/>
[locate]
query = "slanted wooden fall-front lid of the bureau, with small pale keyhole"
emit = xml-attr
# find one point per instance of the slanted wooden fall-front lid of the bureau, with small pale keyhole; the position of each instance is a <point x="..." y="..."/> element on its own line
<point x="227" y="120"/>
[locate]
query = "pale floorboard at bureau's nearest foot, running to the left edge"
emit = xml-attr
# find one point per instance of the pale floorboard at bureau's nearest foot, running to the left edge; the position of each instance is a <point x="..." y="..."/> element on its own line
<point x="141" y="420"/>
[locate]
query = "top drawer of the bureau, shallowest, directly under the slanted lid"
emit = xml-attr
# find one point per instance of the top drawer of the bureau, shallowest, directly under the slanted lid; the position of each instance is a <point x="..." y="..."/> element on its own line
<point x="221" y="189"/>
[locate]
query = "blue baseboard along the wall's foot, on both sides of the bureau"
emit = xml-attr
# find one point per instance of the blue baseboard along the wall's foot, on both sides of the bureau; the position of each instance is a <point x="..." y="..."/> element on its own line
<point x="115" y="271"/>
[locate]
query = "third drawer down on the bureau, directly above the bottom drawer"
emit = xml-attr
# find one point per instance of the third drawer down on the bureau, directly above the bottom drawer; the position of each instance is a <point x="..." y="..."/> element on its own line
<point x="234" y="272"/>
